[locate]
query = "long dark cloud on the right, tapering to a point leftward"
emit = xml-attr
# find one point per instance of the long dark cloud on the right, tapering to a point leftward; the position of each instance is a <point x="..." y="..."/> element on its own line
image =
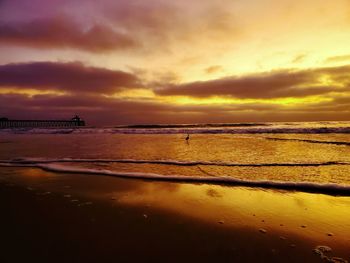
<point x="265" y="86"/>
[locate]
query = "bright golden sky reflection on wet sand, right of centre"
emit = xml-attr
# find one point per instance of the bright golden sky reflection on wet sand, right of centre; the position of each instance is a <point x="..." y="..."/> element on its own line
<point x="312" y="216"/>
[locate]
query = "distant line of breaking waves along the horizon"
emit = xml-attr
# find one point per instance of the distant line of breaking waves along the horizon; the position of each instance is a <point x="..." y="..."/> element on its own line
<point x="229" y="128"/>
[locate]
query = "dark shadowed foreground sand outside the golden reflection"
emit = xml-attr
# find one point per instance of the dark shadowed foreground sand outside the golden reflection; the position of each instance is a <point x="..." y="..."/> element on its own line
<point x="65" y="218"/>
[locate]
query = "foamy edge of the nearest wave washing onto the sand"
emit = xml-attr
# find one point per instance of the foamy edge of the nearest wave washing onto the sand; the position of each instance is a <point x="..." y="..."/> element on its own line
<point x="225" y="180"/>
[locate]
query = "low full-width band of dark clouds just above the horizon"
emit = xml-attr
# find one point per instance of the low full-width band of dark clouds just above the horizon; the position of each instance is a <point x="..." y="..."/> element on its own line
<point x="86" y="91"/>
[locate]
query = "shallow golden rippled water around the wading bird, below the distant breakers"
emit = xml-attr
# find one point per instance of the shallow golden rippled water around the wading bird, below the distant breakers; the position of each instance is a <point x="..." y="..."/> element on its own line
<point x="286" y="158"/>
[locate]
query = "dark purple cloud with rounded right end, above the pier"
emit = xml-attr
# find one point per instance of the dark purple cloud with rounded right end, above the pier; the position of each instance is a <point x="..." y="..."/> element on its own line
<point x="71" y="77"/>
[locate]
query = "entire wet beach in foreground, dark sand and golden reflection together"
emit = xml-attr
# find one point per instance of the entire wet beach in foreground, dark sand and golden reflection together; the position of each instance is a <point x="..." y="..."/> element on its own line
<point x="77" y="218"/>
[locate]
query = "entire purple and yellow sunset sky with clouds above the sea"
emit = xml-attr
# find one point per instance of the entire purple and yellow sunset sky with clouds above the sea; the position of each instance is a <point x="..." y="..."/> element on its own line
<point x="160" y="61"/>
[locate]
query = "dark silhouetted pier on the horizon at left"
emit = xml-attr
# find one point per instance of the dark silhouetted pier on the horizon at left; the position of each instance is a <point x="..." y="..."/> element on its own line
<point x="76" y="121"/>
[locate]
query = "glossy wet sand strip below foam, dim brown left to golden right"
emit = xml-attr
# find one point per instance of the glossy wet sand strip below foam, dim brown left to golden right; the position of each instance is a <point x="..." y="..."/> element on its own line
<point x="309" y="215"/>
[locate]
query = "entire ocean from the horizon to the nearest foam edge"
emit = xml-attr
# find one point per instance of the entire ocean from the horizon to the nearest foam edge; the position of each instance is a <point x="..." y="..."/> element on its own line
<point x="302" y="156"/>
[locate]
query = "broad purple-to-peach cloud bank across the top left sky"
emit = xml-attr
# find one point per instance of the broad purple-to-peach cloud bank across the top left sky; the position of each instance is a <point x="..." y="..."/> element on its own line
<point x="149" y="26"/>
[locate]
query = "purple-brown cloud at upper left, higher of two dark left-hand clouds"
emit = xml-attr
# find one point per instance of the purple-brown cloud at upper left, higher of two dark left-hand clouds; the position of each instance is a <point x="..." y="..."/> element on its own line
<point x="64" y="33"/>
